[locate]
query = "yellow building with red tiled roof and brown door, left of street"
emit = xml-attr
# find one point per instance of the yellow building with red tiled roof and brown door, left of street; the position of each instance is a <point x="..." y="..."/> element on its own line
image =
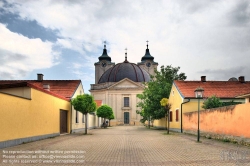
<point x="37" y="109"/>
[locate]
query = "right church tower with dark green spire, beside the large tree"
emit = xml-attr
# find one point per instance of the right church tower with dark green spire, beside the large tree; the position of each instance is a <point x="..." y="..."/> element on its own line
<point x="147" y="62"/>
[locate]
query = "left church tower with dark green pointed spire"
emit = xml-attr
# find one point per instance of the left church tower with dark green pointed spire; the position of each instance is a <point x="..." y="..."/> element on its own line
<point x="103" y="65"/>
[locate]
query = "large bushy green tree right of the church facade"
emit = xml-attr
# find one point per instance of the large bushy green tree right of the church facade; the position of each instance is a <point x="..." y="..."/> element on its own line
<point x="157" y="88"/>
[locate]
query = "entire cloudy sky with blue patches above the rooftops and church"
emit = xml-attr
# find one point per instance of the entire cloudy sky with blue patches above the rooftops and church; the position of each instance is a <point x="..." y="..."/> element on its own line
<point x="63" y="39"/>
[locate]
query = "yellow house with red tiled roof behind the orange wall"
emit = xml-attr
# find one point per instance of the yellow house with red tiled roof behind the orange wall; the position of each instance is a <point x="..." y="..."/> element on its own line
<point x="182" y="97"/>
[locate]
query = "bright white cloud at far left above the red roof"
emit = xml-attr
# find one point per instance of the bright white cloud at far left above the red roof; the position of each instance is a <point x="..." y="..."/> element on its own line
<point x="21" y="54"/>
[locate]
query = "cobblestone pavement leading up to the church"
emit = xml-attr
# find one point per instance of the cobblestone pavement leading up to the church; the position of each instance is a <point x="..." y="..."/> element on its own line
<point x="125" y="145"/>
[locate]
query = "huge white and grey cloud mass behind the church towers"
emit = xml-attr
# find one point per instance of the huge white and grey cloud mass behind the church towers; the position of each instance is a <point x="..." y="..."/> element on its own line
<point x="195" y="35"/>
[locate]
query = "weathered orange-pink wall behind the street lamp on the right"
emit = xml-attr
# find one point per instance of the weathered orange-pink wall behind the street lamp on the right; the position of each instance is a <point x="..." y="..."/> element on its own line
<point x="230" y="120"/>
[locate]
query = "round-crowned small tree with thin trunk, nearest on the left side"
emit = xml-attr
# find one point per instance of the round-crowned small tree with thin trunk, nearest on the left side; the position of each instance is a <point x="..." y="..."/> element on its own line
<point x="85" y="104"/>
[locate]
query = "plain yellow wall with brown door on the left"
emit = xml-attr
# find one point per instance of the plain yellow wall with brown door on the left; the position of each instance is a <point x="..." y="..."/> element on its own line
<point x="20" y="118"/>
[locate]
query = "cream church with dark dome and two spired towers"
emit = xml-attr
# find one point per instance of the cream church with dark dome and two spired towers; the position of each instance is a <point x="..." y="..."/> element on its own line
<point x="118" y="84"/>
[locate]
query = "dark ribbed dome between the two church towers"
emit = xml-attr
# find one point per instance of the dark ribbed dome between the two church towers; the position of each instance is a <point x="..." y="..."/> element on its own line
<point x="125" y="70"/>
